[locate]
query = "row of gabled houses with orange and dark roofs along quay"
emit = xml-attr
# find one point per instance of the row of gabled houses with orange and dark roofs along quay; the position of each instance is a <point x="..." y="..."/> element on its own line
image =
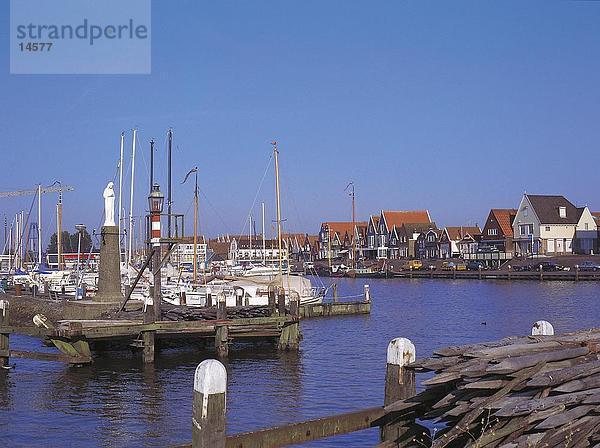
<point x="541" y="225"/>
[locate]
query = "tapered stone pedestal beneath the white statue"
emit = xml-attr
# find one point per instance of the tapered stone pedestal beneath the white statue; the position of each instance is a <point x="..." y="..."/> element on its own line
<point x="109" y="275"/>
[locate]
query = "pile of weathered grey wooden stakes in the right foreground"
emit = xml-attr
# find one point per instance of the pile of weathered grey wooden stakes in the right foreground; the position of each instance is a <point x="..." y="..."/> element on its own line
<point x="536" y="391"/>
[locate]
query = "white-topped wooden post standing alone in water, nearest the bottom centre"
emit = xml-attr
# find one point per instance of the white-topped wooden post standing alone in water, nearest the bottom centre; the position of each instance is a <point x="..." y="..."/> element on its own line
<point x="209" y="405"/>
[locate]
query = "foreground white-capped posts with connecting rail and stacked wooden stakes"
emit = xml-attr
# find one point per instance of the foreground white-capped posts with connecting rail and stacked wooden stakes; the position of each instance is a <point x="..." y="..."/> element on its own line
<point x="533" y="391"/>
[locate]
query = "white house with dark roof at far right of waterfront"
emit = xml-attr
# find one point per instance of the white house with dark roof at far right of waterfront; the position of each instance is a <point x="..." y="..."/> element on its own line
<point x="547" y="224"/>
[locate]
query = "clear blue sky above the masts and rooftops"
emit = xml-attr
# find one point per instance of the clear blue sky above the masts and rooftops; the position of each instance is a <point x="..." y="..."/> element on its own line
<point x="455" y="107"/>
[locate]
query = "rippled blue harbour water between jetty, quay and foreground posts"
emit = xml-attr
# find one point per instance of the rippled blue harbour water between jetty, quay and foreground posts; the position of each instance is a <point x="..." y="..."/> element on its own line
<point x="117" y="402"/>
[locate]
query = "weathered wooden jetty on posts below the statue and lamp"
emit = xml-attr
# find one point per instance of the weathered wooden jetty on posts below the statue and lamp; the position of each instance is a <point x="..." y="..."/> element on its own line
<point x="76" y="340"/>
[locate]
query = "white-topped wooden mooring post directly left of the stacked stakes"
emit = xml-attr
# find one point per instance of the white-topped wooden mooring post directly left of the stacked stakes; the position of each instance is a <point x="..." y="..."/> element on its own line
<point x="400" y="383"/>
